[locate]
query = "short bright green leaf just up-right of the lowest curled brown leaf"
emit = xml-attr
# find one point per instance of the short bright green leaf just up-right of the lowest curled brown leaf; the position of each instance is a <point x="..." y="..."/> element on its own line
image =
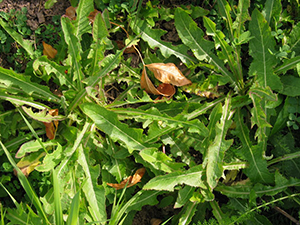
<point x="160" y="160"/>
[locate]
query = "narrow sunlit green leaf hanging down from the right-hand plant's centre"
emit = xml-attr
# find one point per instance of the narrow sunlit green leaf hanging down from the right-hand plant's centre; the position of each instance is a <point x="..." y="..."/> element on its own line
<point x="216" y="151"/>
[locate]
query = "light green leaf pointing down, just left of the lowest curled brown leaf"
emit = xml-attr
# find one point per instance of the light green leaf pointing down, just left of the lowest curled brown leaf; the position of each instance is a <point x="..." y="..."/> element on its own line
<point x="94" y="193"/>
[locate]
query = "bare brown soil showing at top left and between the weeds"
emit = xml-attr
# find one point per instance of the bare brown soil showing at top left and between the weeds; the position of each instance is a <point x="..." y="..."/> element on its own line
<point x="38" y="15"/>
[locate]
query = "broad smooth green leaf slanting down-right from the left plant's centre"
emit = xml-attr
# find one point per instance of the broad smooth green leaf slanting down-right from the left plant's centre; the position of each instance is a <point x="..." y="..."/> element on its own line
<point x="108" y="122"/>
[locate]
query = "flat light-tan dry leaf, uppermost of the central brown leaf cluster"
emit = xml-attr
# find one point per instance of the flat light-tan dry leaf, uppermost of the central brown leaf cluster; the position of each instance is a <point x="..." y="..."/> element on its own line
<point x="168" y="73"/>
